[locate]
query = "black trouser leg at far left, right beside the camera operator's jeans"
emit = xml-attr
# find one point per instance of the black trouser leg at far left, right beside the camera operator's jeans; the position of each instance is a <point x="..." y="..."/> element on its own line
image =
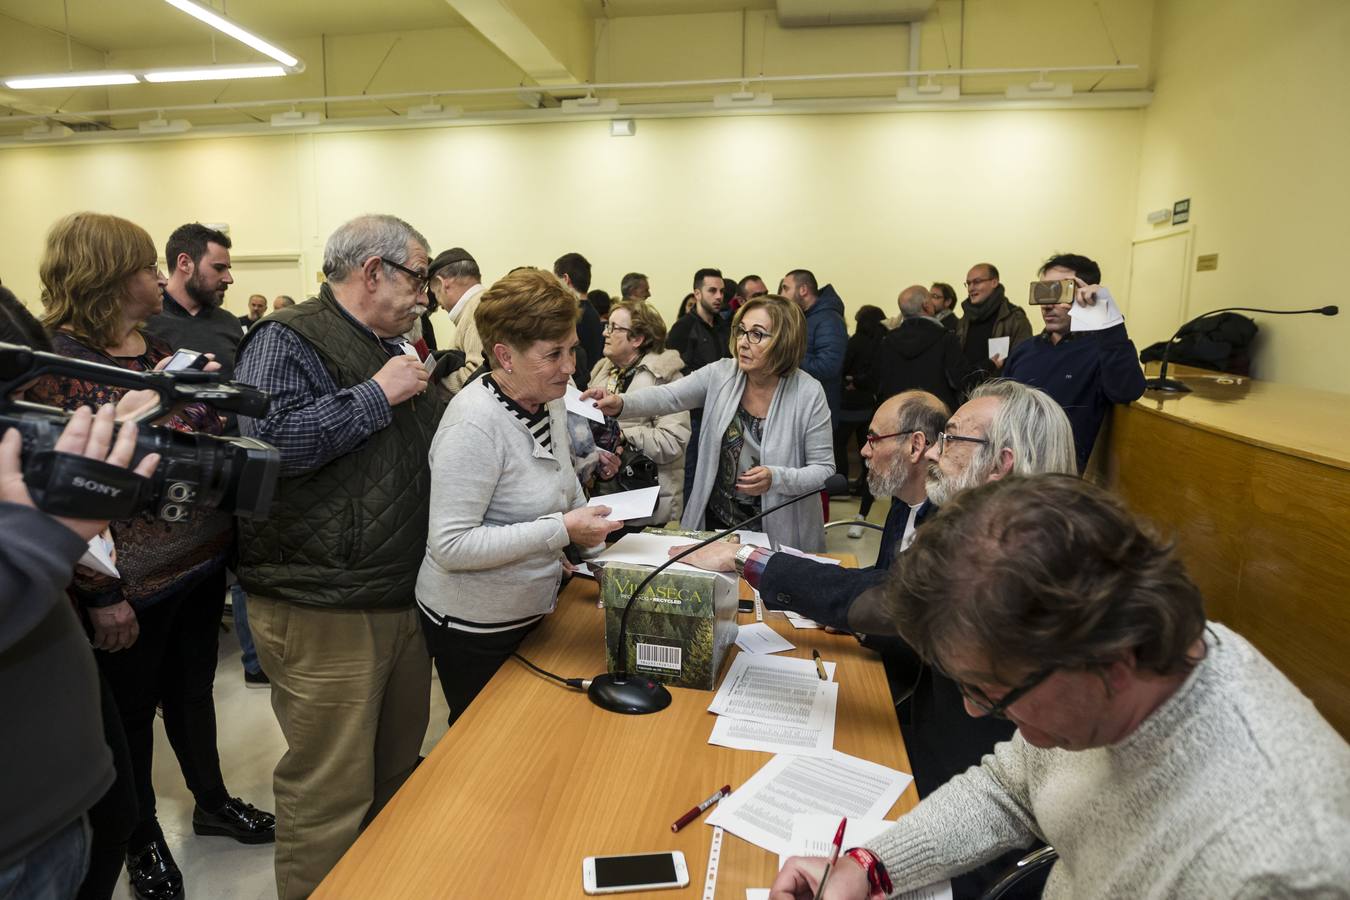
<point x="114" y="817"/>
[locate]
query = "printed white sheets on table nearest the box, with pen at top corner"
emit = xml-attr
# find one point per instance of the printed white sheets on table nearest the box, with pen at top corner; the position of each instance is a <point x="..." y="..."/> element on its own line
<point x="778" y="692"/>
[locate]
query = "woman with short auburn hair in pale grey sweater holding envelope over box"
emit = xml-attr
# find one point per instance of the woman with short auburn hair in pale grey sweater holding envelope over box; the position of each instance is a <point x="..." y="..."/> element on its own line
<point x="504" y="499"/>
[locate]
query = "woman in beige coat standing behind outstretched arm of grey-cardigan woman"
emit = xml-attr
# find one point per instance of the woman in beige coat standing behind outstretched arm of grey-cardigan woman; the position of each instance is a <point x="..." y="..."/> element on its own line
<point x="637" y="358"/>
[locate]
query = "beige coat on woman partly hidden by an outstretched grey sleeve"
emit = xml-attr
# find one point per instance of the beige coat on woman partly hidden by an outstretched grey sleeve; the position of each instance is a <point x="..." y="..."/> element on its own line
<point x="662" y="438"/>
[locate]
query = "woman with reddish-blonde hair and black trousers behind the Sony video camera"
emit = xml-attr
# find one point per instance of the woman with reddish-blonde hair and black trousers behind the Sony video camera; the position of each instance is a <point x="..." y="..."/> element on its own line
<point x="156" y="628"/>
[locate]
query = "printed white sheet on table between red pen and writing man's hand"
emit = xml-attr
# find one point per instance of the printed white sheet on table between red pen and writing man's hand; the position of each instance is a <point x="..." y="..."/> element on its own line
<point x="762" y="812"/>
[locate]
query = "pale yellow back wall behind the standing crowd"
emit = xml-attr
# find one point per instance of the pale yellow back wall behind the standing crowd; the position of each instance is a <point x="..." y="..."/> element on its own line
<point x="873" y="203"/>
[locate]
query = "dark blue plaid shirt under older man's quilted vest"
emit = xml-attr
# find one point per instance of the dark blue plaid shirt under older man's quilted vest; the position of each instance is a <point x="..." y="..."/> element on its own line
<point x="311" y="422"/>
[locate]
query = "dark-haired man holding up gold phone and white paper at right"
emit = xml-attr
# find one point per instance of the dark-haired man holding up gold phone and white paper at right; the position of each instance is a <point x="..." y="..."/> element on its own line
<point x="1085" y="360"/>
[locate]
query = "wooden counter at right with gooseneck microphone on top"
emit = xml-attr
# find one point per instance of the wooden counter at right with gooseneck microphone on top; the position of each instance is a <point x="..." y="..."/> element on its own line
<point x="1253" y="482"/>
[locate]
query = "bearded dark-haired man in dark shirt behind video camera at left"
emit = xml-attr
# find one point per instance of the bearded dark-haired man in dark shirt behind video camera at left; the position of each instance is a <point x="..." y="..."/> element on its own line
<point x="199" y="277"/>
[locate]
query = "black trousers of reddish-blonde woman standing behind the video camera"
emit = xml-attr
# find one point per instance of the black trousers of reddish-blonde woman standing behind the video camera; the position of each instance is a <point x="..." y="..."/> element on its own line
<point x="173" y="663"/>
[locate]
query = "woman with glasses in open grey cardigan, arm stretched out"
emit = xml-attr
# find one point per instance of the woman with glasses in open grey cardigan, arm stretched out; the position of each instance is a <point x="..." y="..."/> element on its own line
<point x="766" y="424"/>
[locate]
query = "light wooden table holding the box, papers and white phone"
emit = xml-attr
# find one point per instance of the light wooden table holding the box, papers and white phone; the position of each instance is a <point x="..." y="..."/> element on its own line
<point x="534" y="778"/>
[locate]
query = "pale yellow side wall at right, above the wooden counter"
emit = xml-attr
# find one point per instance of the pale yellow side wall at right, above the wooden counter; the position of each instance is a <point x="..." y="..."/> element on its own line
<point x="1252" y="122"/>
